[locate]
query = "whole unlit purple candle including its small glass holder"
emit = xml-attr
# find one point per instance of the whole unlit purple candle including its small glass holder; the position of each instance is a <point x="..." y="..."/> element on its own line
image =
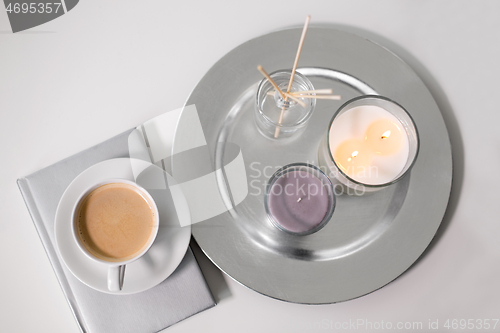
<point x="299" y="199"/>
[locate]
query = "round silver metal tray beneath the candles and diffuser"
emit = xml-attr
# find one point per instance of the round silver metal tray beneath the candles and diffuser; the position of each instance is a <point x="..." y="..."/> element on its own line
<point x="371" y="239"/>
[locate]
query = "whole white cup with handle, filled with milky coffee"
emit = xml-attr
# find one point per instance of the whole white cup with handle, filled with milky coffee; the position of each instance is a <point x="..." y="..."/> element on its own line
<point x="115" y="222"/>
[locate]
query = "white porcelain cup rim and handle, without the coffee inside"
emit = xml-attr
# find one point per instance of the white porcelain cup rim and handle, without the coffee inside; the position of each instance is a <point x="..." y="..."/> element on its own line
<point x="116" y="269"/>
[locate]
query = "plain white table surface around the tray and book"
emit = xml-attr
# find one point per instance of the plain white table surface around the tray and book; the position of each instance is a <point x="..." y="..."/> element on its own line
<point x="109" y="65"/>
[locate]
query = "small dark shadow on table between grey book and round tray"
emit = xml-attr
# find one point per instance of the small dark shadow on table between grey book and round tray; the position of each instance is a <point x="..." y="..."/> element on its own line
<point x="213" y="275"/>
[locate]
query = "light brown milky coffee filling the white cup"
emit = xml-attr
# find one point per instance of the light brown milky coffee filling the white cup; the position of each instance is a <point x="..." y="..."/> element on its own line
<point x="115" y="222"/>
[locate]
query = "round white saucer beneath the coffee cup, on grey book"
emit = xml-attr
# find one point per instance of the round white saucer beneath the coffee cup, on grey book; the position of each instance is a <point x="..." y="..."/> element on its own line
<point x="156" y="265"/>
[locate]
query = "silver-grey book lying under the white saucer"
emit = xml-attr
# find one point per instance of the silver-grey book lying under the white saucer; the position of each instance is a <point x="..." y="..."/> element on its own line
<point x="181" y="295"/>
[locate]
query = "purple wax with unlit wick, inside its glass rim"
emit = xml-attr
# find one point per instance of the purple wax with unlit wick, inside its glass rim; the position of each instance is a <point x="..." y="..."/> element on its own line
<point x="298" y="201"/>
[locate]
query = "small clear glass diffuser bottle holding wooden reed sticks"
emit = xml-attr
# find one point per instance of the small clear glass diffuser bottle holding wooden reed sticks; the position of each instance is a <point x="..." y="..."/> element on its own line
<point x="269" y="105"/>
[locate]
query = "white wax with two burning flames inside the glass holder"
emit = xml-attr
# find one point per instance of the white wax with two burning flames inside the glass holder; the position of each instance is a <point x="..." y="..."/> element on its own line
<point x="369" y="144"/>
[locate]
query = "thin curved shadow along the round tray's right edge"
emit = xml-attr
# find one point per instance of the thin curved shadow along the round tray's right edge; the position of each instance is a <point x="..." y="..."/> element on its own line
<point x="448" y="116"/>
